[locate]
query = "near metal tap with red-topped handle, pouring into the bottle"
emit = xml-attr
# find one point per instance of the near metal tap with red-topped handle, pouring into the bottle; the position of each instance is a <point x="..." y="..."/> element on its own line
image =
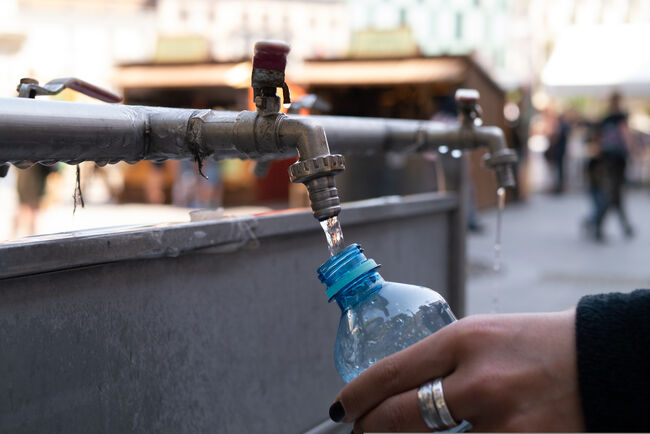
<point x="316" y="166"/>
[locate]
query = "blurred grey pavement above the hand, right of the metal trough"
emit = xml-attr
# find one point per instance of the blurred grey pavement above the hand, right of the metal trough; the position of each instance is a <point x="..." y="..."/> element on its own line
<point x="549" y="262"/>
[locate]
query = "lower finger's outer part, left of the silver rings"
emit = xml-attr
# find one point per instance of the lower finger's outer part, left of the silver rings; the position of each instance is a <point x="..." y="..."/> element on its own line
<point x="399" y="413"/>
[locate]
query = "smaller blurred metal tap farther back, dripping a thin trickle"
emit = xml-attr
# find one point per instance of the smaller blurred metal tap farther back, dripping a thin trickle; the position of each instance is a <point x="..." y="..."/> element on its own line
<point x="500" y="158"/>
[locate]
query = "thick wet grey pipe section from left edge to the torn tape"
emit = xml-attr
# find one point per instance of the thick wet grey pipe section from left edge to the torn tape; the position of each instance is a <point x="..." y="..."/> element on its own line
<point x="50" y="131"/>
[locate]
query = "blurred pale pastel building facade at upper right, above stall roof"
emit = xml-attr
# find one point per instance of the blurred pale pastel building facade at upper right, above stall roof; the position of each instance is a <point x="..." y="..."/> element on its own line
<point x="513" y="39"/>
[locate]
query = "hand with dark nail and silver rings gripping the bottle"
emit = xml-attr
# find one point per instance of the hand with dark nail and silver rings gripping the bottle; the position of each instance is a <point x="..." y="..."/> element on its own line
<point x="515" y="372"/>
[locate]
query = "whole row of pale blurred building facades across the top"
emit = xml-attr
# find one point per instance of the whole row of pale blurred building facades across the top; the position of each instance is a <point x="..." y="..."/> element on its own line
<point x="512" y="39"/>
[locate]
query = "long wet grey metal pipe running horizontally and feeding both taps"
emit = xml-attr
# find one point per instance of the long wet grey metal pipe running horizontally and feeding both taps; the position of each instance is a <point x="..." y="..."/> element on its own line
<point x="50" y="131"/>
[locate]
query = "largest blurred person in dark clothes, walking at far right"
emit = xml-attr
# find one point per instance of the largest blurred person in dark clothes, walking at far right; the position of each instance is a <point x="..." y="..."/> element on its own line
<point x="607" y="168"/>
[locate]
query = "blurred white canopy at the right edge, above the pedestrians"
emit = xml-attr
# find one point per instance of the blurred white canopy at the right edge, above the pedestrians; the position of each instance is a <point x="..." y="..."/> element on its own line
<point x="597" y="60"/>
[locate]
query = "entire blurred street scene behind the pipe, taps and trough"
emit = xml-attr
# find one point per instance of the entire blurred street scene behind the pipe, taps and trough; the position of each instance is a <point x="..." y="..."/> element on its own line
<point x="567" y="80"/>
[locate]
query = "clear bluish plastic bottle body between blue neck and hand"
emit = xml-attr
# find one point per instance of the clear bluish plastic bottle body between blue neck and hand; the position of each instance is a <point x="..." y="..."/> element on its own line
<point x="387" y="321"/>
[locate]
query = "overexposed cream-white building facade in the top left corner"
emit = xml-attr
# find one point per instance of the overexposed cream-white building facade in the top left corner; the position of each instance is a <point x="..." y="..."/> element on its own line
<point x="61" y="38"/>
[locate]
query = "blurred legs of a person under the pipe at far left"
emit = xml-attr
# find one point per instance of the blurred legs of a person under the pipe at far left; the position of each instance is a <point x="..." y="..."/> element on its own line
<point x="30" y="185"/>
